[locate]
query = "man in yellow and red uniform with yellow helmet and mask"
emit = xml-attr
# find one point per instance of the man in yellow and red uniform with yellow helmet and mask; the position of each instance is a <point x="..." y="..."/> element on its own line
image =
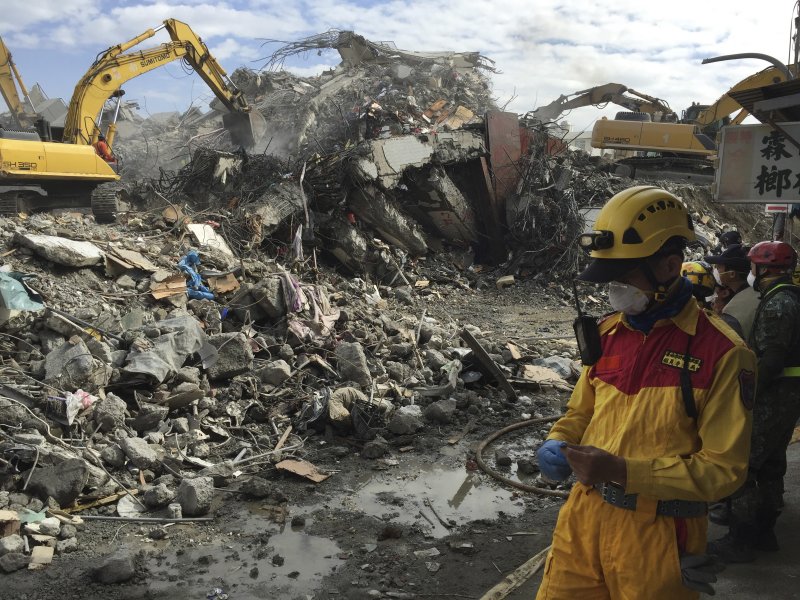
<point x="656" y="428"/>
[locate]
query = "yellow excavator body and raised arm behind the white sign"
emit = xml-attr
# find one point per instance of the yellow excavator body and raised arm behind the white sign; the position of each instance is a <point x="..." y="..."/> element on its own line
<point x="690" y="142"/>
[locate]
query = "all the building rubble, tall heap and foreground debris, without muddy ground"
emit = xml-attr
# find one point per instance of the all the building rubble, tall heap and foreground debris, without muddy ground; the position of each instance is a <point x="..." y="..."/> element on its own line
<point x="202" y="340"/>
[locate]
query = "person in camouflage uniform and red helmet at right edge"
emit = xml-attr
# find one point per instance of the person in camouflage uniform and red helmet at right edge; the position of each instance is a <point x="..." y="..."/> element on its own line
<point x="775" y="338"/>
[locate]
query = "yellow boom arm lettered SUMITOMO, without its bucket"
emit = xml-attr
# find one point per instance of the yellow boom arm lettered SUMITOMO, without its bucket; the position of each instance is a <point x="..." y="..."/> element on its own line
<point x="116" y="66"/>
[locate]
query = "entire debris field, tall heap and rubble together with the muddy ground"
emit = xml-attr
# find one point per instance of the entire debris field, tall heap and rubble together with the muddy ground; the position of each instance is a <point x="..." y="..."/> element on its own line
<point x="386" y="276"/>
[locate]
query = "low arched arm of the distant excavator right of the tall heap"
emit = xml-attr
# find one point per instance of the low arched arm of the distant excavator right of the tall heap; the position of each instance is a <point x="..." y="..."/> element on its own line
<point x="600" y="95"/>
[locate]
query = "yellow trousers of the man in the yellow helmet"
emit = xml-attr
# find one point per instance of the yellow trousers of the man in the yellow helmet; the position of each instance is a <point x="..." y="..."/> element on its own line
<point x="603" y="552"/>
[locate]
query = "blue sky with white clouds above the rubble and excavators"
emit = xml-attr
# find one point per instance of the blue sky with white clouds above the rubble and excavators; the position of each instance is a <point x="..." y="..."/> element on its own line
<point x="544" y="47"/>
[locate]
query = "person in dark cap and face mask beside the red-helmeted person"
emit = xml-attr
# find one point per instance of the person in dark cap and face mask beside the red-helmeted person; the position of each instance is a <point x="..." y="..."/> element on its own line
<point x="736" y="300"/>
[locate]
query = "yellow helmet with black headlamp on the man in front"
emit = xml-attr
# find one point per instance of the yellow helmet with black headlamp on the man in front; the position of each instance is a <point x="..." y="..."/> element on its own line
<point x="634" y="224"/>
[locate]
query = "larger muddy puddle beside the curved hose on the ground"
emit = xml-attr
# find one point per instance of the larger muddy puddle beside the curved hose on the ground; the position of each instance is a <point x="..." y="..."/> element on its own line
<point x="435" y="498"/>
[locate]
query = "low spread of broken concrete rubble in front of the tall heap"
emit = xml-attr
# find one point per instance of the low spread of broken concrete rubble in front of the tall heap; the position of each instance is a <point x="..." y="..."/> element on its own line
<point x="128" y="386"/>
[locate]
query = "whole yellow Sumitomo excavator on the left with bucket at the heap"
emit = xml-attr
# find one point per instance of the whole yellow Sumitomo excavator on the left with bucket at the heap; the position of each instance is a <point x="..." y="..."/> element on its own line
<point x="64" y="164"/>
